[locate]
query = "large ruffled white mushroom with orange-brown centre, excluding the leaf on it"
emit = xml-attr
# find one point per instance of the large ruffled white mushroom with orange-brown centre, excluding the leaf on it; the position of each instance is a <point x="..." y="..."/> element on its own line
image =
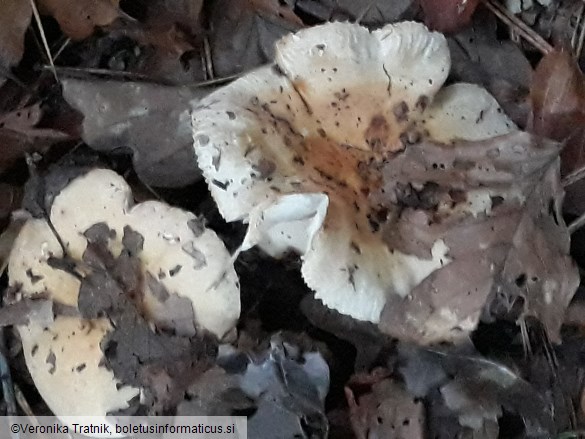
<point x="291" y="149"/>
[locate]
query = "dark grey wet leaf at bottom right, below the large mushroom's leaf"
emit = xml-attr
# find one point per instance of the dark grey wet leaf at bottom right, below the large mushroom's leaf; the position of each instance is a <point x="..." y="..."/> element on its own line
<point x="476" y="389"/>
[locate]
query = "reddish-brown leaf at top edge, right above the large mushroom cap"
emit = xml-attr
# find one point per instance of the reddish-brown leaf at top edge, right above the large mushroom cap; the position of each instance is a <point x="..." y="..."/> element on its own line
<point x="448" y="15"/>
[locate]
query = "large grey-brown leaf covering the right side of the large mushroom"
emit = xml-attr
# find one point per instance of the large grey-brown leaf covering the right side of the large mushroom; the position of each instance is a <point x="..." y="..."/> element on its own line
<point x="512" y="254"/>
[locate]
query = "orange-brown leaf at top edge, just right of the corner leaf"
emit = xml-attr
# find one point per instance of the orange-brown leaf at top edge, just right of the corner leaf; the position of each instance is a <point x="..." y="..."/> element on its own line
<point x="78" y="18"/>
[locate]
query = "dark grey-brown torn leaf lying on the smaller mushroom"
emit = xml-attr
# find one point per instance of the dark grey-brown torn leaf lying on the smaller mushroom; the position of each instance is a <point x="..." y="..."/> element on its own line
<point x="162" y="362"/>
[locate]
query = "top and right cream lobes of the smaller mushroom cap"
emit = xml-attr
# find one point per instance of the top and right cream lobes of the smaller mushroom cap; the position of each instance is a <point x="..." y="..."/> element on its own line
<point x="195" y="265"/>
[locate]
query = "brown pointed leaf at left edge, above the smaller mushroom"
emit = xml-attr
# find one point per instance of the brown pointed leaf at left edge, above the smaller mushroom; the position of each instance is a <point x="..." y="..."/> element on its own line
<point x="19" y="134"/>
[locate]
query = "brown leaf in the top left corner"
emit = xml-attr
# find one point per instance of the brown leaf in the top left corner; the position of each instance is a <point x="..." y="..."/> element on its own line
<point x="14" y="20"/>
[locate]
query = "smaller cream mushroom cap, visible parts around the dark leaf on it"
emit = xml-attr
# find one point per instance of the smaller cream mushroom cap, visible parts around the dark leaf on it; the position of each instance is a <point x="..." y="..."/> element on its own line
<point x="64" y="358"/>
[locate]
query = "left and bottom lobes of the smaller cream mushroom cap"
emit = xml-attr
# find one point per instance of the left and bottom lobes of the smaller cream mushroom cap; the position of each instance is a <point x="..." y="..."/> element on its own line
<point x="64" y="357"/>
